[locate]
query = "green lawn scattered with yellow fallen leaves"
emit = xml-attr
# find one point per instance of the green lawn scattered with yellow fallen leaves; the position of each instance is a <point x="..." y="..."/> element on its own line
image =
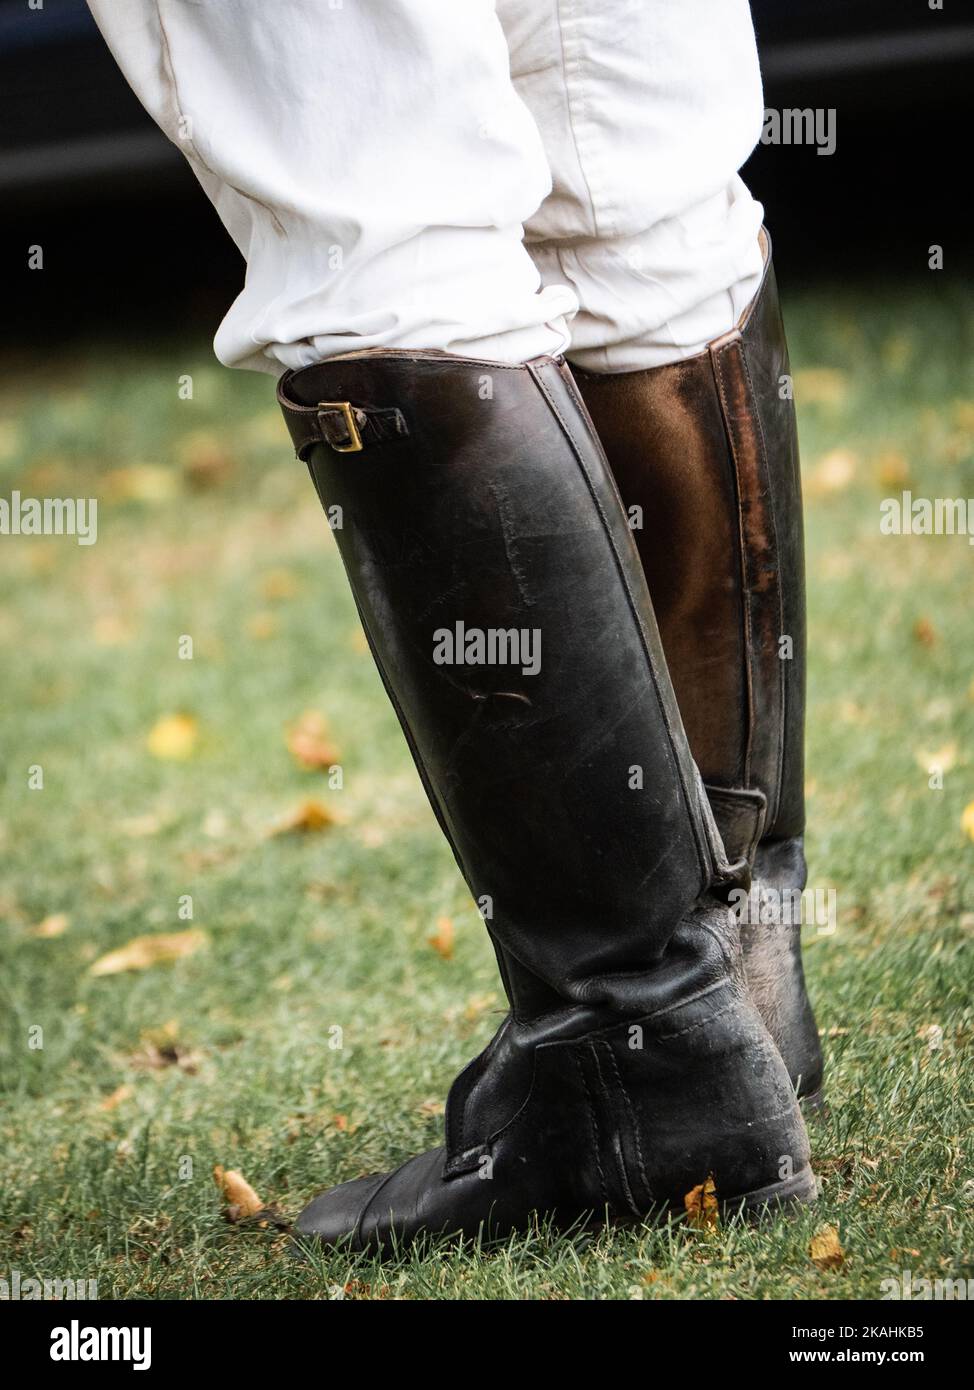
<point x="148" y="1079"/>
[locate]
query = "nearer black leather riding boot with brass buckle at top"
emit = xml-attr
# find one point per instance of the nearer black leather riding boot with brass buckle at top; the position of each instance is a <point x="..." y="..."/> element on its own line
<point x="502" y="596"/>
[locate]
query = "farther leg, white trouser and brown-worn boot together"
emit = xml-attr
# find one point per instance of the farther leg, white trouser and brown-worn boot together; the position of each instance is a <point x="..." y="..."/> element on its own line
<point x="647" y="115"/>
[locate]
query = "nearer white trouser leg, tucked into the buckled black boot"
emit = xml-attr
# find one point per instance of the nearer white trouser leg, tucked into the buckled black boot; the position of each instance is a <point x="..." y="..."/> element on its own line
<point x="369" y="158"/>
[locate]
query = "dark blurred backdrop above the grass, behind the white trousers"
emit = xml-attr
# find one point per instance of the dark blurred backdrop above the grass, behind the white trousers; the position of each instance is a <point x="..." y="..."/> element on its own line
<point x="85" y="173"/>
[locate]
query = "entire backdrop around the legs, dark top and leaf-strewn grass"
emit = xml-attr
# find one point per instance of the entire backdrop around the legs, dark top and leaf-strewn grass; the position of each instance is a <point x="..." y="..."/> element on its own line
<point x="192" y="901"/>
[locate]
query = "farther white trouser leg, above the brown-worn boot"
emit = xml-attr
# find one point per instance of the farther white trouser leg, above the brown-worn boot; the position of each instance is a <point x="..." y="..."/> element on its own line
<point x="647" y="109"/>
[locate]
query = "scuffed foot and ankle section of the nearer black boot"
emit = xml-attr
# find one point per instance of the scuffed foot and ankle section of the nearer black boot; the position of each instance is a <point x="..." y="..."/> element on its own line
<point x="616" y="1122"/>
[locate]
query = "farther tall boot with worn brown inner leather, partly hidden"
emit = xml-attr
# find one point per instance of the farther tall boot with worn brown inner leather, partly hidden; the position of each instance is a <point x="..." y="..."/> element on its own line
<point x="708" y="451"/>
